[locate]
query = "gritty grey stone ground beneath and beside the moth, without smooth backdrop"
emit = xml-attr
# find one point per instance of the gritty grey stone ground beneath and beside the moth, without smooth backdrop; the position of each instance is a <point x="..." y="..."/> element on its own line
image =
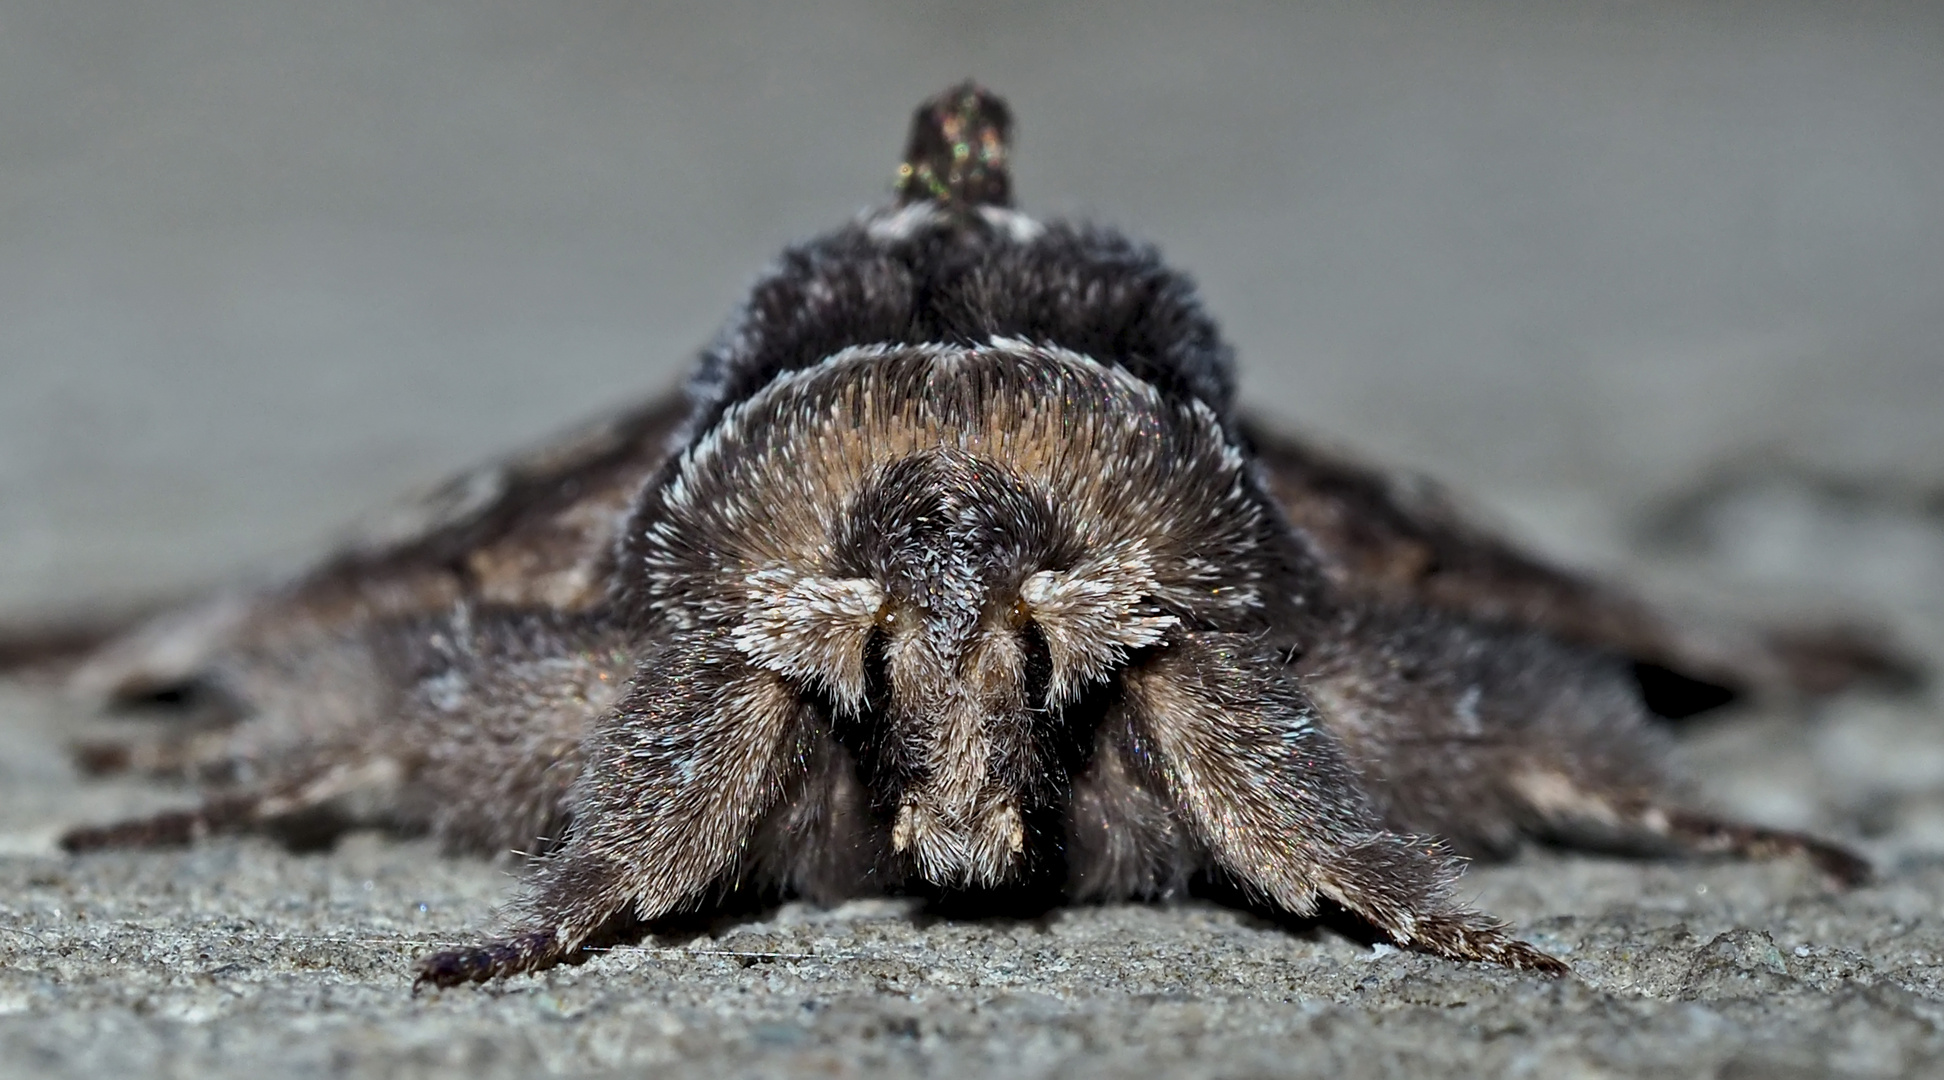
<point x="238" y="959"/>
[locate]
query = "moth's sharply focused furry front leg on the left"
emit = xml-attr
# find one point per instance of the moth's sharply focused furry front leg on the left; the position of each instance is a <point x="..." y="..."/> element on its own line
<point x="676" y="782"/>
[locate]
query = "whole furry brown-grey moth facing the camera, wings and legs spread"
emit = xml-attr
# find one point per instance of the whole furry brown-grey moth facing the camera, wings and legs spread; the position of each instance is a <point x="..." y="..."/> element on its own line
<point x="955" y="574"/>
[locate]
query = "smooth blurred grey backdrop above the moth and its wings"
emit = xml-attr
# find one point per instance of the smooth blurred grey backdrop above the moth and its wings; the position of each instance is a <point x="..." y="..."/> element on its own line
<point x="267" y="265"/>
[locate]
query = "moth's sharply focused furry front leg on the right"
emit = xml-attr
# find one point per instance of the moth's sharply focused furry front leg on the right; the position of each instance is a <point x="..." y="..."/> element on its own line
<point x="1267" y="790"/>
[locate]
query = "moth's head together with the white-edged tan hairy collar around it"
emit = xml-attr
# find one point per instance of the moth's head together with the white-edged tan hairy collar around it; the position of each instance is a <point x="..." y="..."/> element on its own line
<point x="946" y="549"/>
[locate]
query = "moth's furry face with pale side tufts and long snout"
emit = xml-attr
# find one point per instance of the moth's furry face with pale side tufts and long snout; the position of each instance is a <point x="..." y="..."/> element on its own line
<point x="959" y="624"/>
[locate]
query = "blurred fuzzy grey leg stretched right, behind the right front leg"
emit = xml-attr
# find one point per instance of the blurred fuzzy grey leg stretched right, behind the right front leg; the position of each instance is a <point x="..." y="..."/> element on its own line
<point x="1490" y="735"/>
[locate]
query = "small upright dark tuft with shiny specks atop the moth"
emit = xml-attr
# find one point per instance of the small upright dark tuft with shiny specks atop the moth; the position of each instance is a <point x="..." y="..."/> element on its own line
<point x="959" y="151"/>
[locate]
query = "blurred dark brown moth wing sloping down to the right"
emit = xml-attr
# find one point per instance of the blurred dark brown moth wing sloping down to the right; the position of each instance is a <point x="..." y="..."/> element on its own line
<point x="1397" y="537"/>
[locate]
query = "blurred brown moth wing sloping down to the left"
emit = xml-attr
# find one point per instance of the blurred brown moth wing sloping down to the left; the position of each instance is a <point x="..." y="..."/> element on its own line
<point x="534" y="531"/>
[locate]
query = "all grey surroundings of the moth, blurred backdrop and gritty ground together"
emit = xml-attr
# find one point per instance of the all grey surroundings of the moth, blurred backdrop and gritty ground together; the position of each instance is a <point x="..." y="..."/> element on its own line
<point x="1657" y="283"/>
